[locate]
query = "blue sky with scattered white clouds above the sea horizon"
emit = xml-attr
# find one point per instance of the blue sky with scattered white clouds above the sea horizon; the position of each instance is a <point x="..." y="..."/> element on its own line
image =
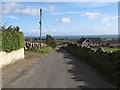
<point x="62" y="18"/>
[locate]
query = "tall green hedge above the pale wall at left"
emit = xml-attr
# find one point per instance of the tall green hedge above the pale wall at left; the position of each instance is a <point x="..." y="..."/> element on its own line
<point x="12" y="38"/>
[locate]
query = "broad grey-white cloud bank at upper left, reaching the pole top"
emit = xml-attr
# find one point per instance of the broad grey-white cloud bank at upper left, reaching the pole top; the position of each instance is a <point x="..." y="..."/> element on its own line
<point x="15" y="8"/>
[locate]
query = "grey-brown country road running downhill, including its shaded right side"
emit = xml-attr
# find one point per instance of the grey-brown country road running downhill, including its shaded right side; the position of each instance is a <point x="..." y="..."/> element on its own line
<point x="56" y="70"/>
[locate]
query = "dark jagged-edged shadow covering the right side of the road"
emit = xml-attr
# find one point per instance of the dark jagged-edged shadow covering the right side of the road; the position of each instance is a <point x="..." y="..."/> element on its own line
<point x="82" y="73"/>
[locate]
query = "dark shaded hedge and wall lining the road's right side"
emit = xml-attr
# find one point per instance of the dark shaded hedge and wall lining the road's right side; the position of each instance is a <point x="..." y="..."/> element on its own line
<point x="108" y="64"/>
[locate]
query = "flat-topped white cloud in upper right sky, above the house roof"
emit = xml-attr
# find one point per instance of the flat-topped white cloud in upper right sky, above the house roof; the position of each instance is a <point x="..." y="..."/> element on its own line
<point x="91" y="15"/>
